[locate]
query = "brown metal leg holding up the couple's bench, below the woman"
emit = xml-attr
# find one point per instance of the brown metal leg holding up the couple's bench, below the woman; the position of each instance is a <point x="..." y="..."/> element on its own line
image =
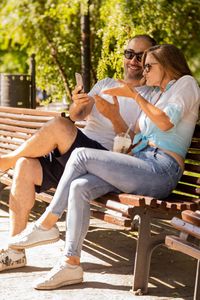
<point x="146" y="243"/>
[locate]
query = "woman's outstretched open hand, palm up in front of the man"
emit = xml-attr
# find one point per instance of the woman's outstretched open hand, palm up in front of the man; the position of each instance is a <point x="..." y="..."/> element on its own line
<point x="125" y="90"/>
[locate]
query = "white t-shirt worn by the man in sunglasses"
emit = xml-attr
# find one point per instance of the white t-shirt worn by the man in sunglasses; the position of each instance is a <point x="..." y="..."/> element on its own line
<point x="100" y="128"/>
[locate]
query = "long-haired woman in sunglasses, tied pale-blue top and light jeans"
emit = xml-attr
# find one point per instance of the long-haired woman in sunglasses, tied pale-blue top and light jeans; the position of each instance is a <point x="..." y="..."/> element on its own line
<point x="164" y="134"/>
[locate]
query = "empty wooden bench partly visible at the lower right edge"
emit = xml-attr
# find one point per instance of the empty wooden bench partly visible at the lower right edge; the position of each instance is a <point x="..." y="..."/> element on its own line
<point x="189" y="227"/>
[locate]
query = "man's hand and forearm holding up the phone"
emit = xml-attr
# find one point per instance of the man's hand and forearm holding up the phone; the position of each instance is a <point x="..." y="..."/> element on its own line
<point x="81" y="106"/>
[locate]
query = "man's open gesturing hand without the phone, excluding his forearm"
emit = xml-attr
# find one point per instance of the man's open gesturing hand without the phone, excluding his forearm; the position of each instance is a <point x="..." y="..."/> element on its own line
<point x="107" y="109"/>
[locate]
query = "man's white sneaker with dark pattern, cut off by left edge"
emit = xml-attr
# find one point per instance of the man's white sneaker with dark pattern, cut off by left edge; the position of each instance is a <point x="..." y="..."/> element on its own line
<point x="12" y="259"/>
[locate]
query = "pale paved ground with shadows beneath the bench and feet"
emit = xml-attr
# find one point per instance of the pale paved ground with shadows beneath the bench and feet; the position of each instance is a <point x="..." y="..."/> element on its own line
<point x="107" y="259"/>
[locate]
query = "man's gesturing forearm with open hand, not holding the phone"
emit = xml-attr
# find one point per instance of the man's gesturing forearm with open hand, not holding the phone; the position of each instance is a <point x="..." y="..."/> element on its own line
<point x="112" y="112"/>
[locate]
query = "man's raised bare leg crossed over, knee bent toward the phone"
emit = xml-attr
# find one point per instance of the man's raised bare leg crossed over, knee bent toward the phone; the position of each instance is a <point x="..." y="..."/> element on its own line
<point x="59" y="132"/>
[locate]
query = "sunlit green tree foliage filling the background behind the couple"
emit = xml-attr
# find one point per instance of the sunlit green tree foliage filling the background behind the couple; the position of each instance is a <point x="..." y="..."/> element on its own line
<point x="51" y="30"/>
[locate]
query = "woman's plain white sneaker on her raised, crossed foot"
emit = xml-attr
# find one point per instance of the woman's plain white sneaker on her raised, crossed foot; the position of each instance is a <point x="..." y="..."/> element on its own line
<point x="33" y="236"/>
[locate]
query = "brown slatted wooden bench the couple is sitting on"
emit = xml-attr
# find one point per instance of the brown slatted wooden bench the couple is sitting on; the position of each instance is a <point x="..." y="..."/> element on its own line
<point x="17" y="125"/>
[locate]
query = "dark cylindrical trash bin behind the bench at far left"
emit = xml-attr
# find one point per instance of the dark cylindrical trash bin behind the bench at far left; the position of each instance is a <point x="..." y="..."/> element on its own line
<point x="15" y="90"/>
